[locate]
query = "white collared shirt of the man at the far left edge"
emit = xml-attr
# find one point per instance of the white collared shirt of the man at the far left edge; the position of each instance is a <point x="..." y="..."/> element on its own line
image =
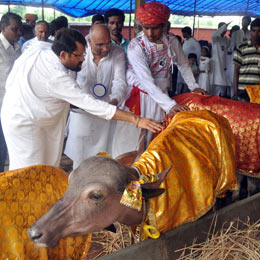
<point x="8" y="55"/>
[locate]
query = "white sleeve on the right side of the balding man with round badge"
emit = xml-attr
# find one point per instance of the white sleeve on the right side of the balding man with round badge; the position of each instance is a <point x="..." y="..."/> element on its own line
<point x="118" y="90"/>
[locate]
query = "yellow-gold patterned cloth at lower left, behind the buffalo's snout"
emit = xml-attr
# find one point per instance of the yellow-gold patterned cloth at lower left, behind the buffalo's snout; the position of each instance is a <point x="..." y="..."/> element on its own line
<point x="25" y="195"/>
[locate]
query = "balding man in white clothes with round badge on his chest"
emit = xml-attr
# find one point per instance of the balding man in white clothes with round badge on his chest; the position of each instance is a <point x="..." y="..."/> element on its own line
<point x="103" y="77"/>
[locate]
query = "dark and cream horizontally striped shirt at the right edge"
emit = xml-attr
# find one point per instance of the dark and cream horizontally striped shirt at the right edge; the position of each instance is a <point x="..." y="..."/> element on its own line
<point x="247" y="57"/>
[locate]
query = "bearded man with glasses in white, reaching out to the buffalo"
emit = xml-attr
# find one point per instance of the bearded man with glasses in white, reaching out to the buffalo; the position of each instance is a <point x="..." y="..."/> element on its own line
<point x="38" y="92"/>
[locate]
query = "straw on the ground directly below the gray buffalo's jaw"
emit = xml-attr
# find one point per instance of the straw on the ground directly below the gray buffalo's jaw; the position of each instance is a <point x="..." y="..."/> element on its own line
<point x="106" y="242"/>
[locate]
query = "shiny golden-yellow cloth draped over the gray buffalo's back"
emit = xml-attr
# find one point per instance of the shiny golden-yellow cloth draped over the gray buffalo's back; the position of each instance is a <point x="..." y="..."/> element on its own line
<point x="200" y="147"/>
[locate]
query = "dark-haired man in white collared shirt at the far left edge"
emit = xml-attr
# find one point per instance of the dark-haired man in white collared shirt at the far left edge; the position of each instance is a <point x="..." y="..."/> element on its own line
<point x="9" y="51"/>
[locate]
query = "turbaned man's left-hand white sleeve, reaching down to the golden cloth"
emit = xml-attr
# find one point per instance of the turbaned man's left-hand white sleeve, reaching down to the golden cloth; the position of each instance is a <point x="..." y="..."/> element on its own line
<point x="140" y="66"/>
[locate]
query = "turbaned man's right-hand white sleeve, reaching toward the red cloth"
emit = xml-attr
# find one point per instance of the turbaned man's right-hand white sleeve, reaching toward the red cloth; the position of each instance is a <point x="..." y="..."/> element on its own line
<point x="182" y="64"/>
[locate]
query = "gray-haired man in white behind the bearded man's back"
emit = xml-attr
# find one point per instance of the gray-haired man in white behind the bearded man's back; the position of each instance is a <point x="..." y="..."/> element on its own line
<point x="42" y="33"/>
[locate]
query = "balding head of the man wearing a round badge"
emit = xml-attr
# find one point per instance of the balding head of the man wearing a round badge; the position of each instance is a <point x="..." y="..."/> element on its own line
<point x="100" y="40"/>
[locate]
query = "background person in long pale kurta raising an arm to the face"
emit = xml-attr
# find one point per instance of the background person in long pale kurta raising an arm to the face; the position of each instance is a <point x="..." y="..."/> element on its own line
<point x="220" y="44"/>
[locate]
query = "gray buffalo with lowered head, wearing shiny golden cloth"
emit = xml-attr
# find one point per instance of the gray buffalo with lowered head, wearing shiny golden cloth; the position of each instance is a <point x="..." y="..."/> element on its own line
<point x="92" y="201"/>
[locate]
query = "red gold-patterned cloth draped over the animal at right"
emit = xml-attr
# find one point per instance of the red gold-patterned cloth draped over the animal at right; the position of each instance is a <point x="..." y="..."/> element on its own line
<point x="244" y="119"/>
